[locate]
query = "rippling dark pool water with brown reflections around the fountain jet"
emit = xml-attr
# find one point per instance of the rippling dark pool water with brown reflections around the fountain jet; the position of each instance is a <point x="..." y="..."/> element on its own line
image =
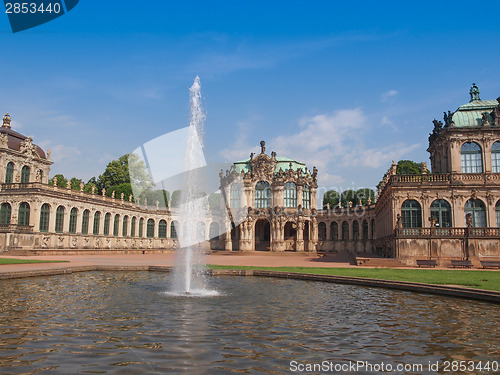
<point x="124" y="322"/>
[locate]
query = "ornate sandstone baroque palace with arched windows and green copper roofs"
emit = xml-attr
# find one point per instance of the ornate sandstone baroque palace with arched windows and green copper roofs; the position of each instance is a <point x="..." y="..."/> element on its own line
<point x="451" y="213"/>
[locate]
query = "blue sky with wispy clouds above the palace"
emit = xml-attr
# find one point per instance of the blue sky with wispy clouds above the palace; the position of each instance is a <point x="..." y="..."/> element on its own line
<point x="346" y="87"/>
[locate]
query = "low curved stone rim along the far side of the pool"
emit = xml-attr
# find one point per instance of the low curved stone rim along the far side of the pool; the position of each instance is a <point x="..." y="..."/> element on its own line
<point x="451" y="291"/>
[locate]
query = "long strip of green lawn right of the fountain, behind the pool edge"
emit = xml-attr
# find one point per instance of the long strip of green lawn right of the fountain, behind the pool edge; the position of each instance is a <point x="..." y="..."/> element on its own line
<point x="479" y="279"/>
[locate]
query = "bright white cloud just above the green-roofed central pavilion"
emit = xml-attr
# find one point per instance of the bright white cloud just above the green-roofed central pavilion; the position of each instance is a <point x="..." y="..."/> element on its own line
<point x="331" y="142"/>
